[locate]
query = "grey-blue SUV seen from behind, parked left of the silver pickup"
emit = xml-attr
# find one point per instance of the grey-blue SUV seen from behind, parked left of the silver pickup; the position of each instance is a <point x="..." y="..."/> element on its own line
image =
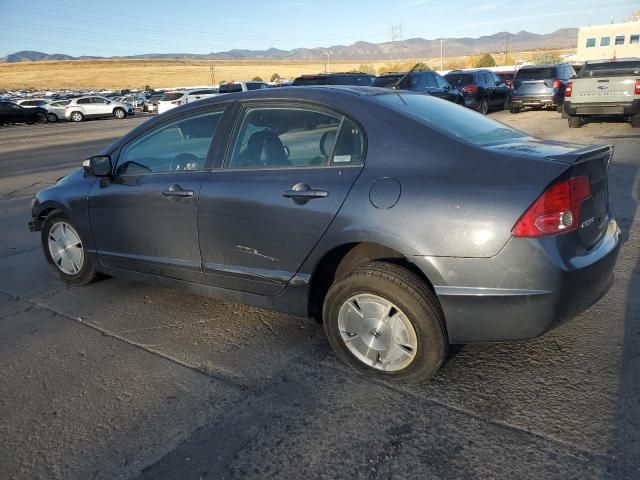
<point x="540" y="86"/>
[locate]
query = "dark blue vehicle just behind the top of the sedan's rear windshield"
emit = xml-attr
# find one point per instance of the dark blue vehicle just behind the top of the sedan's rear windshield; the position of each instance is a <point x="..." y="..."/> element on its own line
<point x="421" y="81"/>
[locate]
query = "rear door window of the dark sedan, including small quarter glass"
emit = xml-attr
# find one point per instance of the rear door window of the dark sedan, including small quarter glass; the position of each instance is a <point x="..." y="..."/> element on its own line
<point x="295" y="137"/>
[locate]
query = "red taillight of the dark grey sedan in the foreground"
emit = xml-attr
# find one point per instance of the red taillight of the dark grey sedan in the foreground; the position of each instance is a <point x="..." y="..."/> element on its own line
<point x="557" y="210"/>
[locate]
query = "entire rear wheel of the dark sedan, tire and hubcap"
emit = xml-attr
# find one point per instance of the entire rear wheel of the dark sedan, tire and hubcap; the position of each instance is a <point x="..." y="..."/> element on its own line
<point x="383" y="320"/>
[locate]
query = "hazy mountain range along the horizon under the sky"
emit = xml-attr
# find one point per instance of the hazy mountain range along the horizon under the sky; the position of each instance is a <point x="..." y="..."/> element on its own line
<point x="410" y="48"/>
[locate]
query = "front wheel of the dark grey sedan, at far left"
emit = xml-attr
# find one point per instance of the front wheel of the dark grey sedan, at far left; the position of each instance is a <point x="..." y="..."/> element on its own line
<point x="66" y="251"/>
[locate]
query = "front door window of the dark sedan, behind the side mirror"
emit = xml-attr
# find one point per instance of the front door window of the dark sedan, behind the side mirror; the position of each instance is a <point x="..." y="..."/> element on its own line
<point x="181" y="145"/>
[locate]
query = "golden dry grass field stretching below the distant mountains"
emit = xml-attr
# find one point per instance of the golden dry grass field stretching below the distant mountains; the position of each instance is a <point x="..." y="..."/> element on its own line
<point x="155" y="73"/>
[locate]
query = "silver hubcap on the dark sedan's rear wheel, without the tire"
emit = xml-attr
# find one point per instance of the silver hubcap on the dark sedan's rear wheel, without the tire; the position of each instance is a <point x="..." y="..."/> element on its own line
<point x="377" y="332"/>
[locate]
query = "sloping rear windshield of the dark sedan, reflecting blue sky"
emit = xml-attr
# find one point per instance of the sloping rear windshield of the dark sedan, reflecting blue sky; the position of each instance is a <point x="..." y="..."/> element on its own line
<point x="443" y="117"/>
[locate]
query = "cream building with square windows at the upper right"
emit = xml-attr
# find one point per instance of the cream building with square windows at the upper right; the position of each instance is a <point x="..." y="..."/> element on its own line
<point x="601" y="42"/>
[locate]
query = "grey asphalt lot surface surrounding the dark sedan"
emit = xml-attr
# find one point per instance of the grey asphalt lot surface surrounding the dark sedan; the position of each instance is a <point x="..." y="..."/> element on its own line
<point x="119" y="380"/>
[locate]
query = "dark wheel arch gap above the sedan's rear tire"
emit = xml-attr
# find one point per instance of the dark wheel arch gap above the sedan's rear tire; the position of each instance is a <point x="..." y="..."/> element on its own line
<point x="342" y="259"/>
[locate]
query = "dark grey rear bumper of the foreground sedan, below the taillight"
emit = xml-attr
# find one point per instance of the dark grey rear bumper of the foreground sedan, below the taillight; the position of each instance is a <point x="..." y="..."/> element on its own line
<point x="524" y="291"/>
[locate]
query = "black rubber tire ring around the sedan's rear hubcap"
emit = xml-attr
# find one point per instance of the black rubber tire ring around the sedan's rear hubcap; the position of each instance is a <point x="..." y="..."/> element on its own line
<point x="406" y="290"/>
